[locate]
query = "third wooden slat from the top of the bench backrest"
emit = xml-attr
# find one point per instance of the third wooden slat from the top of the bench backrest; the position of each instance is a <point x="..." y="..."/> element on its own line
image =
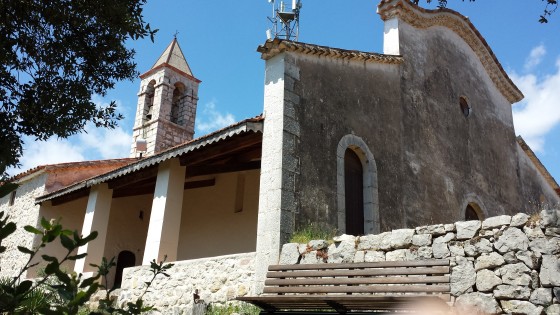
<point x="342" y="281"/>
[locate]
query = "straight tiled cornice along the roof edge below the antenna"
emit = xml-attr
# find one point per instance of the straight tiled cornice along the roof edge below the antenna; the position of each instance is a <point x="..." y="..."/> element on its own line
<point x="273" y="47"/>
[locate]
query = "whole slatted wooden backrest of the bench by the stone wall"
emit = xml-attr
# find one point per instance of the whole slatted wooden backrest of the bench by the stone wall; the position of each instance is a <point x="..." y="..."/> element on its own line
<point x="396" y="278"/>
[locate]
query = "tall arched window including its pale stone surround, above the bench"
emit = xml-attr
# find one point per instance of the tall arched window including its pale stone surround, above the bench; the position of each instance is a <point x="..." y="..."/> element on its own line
<point x="357" y="201"/>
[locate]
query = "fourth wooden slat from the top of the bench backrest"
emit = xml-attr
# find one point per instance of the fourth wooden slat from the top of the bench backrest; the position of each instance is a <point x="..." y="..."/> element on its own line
<point x="359" y="289"/>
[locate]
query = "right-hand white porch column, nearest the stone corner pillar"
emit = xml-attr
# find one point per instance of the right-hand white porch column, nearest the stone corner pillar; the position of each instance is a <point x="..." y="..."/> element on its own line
<point x="165" y="220"/>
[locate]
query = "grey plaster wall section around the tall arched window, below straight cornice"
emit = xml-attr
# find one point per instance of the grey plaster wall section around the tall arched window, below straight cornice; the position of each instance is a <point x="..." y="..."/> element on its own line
<point x="336" y="98"/>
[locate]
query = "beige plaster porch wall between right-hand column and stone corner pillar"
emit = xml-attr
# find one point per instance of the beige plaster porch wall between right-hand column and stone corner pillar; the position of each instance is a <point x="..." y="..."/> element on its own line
<point x="209" y="217"/>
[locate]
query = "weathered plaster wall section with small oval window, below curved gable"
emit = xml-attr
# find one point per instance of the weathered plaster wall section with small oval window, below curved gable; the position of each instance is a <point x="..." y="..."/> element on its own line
<point x="449" y="156"/>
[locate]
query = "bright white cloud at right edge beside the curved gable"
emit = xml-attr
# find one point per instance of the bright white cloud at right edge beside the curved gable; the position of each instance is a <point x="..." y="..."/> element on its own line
<point x="539" y="112"/>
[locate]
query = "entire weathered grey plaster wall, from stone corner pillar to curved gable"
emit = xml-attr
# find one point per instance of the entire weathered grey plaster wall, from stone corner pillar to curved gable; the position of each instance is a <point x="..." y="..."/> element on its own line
<point x="428" y="155"/>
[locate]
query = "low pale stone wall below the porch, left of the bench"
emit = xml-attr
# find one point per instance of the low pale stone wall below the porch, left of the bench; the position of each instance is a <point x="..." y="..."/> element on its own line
<point x="217" y="279"/>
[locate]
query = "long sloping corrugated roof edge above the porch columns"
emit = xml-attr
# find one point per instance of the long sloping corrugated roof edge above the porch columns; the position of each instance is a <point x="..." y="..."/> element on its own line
<point x="248" y="125"/>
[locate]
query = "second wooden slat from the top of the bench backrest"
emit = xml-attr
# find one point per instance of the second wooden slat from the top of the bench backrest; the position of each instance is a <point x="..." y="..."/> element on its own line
<point x="359" y="272"/>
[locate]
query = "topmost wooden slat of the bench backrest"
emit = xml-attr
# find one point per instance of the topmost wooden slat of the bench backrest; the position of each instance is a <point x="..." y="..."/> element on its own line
<point x="380" y="264"/>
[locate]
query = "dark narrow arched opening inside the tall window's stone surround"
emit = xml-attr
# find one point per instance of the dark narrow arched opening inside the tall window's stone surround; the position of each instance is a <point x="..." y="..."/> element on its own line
<point x="354" y="193"/>
